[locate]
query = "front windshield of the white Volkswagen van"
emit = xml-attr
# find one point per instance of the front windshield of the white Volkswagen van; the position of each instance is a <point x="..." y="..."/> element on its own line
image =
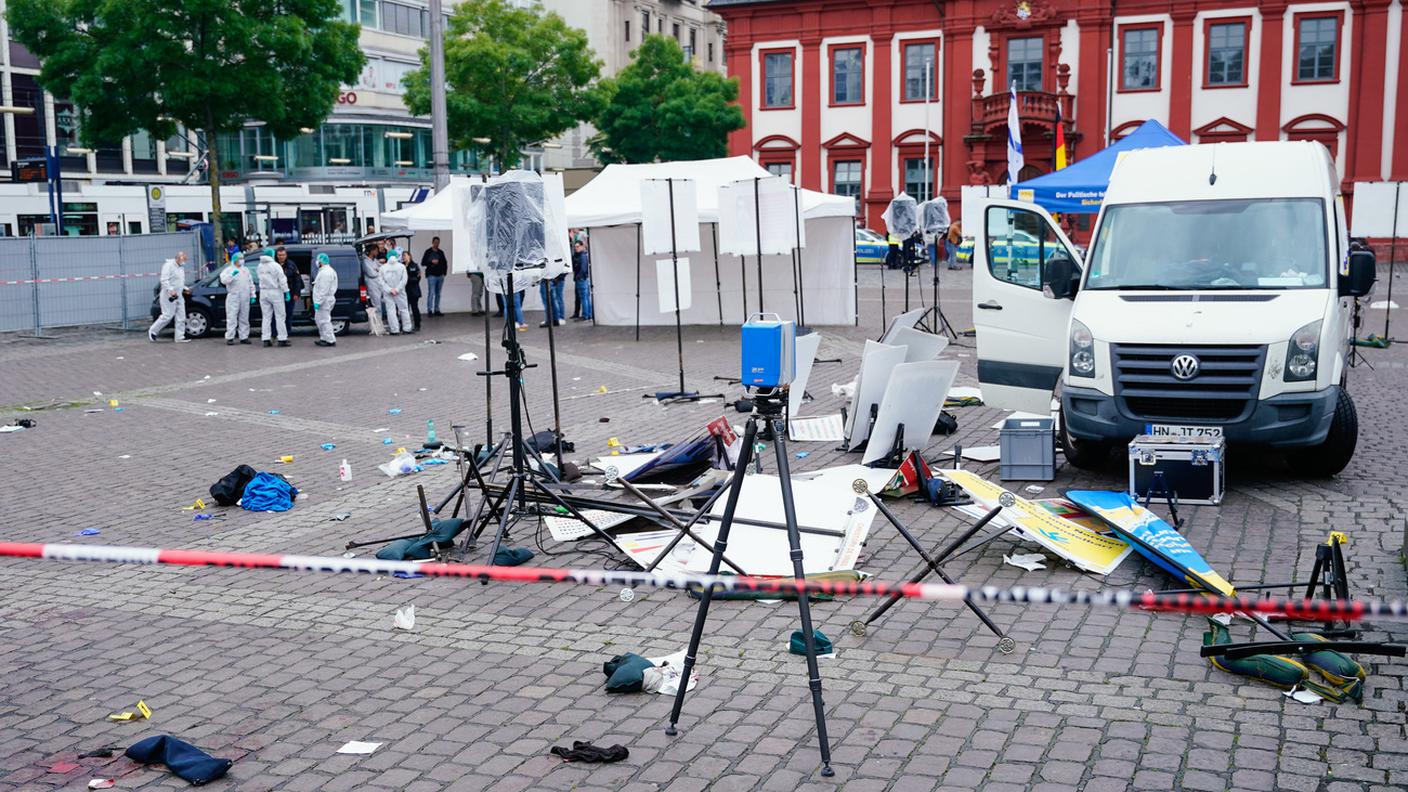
<point x="1212" y="245"/>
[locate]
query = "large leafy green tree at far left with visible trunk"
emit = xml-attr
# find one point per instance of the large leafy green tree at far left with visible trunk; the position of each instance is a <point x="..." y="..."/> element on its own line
<point x="209" y="66"/>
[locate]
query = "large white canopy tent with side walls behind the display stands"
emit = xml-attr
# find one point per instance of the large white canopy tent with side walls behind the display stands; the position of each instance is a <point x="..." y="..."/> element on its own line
<point x="724" y="287"/>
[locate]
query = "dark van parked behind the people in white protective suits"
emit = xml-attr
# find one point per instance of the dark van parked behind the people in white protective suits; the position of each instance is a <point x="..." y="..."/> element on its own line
<point x="206" y="304"/>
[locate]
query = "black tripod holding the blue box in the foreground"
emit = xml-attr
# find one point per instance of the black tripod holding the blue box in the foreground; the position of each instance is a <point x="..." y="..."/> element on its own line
<point x="769" y="408"/>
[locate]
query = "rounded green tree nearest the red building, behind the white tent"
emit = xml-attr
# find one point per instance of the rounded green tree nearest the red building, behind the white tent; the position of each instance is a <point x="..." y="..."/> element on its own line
<point x="661" y="108"/>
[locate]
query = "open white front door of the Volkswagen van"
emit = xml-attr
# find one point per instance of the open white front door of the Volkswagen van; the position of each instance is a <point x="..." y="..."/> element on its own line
<point x="1022" y="321"/>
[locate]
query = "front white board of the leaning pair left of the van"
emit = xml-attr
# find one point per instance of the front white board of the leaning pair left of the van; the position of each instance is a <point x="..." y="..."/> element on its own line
<point x="914" y="397"/>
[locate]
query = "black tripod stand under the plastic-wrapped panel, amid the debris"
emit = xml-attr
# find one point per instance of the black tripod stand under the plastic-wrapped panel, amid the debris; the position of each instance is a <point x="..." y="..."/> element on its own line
<point x="512" y="502"/>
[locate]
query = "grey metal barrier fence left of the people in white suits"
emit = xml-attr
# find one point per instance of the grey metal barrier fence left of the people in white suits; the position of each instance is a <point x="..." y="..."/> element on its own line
<point x="77" y="281"/>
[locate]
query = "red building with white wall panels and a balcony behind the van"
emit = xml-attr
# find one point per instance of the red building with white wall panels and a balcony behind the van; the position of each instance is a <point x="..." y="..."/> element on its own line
<point x="848" y="97"/>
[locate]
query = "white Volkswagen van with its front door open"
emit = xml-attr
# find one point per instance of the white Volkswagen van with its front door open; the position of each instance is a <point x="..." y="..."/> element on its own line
<point x="1216" y="298"/>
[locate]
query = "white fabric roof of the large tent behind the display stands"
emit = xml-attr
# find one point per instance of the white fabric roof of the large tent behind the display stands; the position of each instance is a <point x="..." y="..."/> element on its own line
<point x="613" y="198"/>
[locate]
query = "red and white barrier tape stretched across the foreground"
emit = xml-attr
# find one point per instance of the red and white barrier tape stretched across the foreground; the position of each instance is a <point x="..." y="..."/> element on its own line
<point x="1303" y="610"/>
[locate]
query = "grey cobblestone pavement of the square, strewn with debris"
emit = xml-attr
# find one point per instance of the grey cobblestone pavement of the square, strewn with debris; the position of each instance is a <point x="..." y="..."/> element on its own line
<point x="278" y="670"/>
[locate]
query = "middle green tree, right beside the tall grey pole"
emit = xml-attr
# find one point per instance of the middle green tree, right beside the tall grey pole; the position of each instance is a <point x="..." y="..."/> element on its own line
<point x="513" y="77"/>
